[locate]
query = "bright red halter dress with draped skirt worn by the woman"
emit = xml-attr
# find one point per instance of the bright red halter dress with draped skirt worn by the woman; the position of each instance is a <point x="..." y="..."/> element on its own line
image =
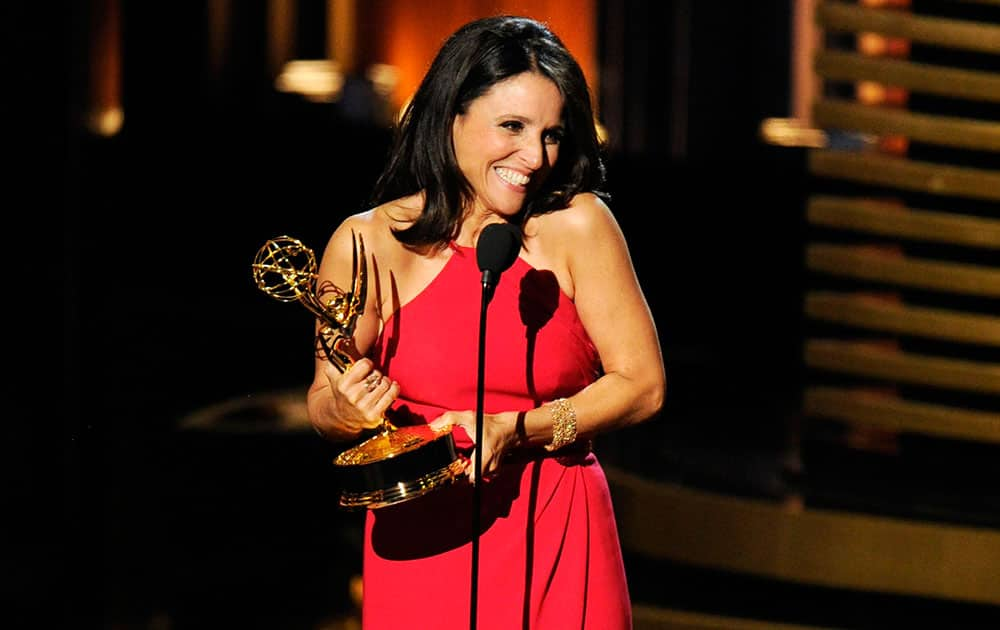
<point x="549" y="554"/>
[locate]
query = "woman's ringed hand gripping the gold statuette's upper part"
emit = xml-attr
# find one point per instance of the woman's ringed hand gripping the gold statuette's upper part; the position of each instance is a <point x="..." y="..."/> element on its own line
<point x="359" y="397"/>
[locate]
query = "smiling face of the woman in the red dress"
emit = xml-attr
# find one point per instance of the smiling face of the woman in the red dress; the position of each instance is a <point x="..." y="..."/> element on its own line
<point x="508" y="140"/>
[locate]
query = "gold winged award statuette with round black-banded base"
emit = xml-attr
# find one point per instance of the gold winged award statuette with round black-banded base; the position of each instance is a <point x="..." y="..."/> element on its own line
<point x="397" y="463"/>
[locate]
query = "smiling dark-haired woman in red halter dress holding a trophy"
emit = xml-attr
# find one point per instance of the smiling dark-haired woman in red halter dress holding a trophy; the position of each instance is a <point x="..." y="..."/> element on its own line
<point x="500" y="132"/>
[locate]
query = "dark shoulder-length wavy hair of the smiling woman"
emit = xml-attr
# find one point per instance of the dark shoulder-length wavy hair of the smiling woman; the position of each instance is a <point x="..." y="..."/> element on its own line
<point x="477" y="56"/>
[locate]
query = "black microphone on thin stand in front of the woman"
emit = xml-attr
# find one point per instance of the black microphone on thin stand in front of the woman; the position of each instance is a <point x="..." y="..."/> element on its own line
<point x="496" y="251"/>
